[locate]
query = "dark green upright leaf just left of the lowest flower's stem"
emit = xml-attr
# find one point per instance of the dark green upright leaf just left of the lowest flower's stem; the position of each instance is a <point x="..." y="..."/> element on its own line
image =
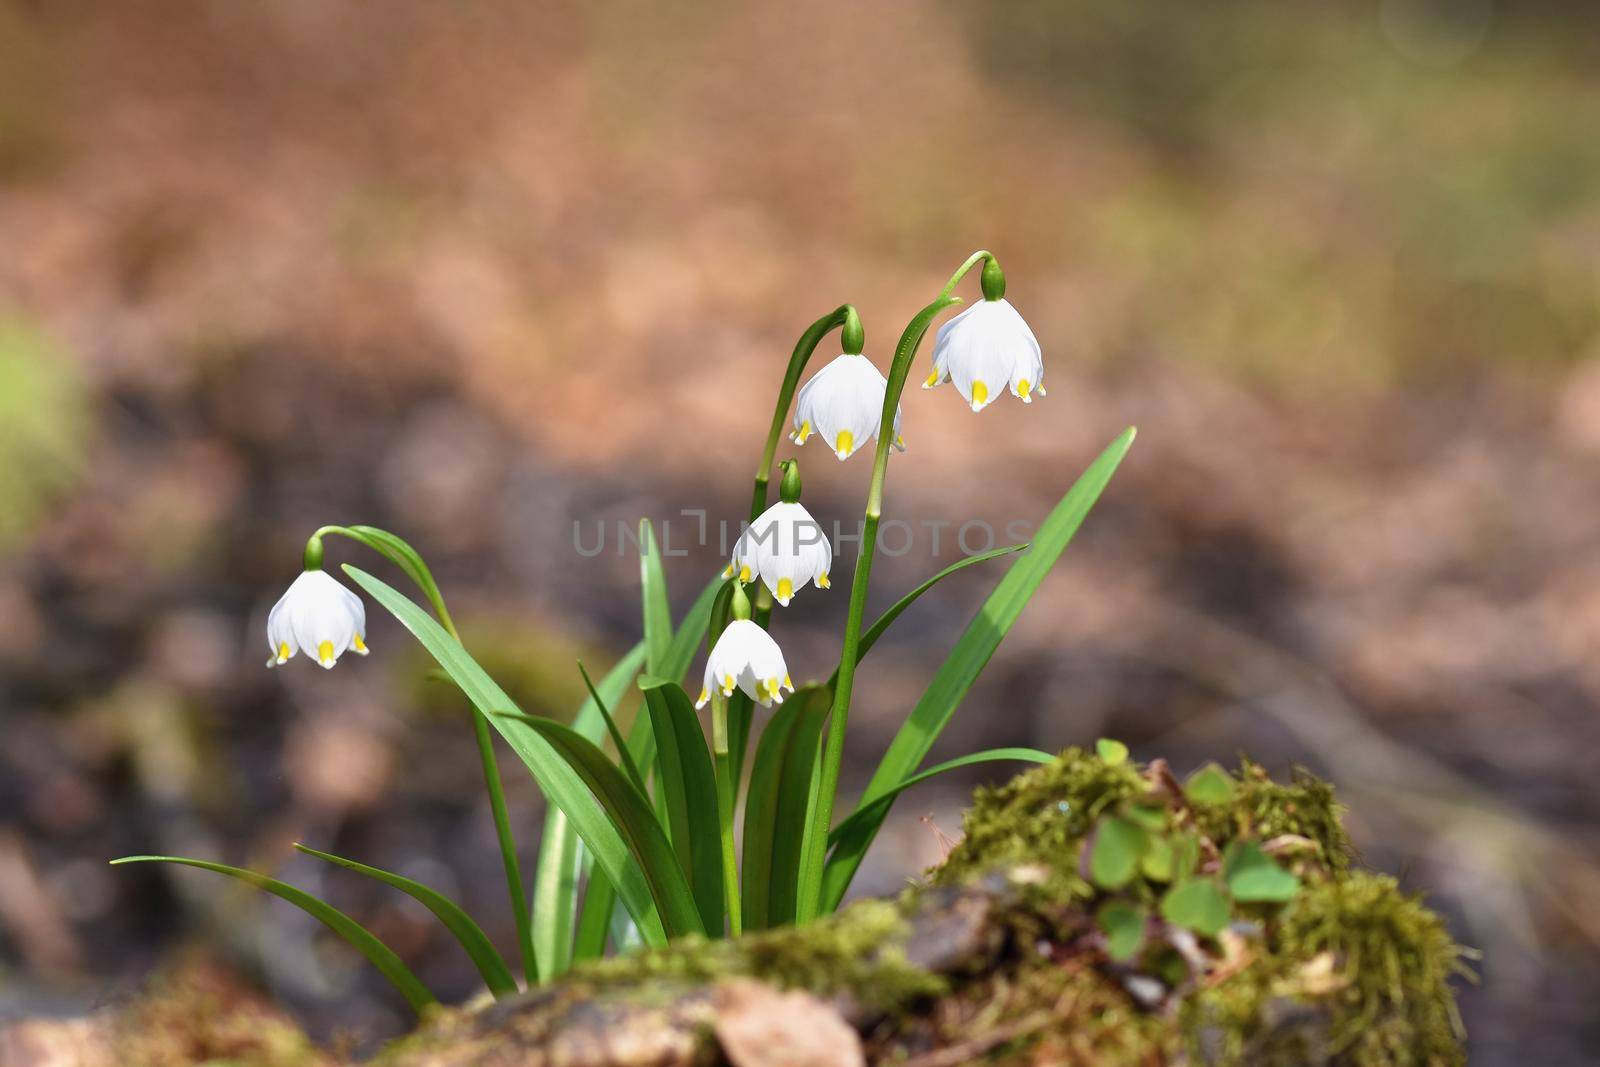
<point x="689" y="786"/>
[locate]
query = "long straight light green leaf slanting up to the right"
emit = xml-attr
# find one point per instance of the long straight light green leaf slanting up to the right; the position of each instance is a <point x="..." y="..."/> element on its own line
<point x="972" y="653"/>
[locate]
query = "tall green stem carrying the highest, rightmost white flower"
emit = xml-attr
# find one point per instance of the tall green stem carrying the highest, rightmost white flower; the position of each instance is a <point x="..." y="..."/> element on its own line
<point x="834" y="754"/>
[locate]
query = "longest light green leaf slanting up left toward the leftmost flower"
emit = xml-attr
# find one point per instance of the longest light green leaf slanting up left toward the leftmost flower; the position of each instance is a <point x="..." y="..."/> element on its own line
<point x="558" y="780"/>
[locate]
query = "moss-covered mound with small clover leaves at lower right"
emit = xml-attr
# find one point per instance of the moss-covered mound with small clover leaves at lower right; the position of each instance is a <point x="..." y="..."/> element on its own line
<point x="1314" y="961"/>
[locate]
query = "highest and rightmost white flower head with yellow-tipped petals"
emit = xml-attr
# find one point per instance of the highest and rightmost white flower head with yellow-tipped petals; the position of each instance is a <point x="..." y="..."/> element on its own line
<point x="990" y="348"/>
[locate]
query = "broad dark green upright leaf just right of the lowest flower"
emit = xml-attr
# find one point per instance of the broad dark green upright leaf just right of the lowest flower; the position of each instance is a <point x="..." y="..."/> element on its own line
<point x="775" y="809"/>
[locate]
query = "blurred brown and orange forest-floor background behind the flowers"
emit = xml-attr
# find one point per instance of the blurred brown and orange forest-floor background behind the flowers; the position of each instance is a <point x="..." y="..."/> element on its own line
<point x="478" y="271"/>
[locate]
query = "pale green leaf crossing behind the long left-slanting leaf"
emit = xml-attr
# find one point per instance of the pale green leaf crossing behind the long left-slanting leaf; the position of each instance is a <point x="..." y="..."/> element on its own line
<point x="556" y="881"/>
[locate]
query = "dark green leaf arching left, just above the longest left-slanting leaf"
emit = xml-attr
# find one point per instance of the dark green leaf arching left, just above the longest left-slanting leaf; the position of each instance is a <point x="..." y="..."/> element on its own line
<point x="631" y="817"/>
